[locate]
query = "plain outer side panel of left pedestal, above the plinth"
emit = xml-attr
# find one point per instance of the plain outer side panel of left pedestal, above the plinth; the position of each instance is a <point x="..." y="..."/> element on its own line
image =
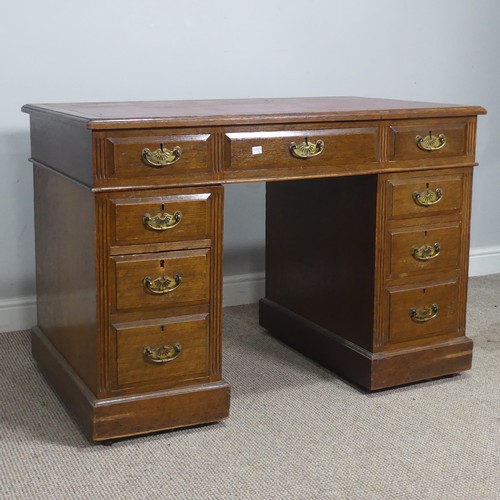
<point x="65" y="270"/>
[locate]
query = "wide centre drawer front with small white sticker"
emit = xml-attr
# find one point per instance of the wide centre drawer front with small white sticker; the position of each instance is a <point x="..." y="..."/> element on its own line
<point x="302" y="148"/>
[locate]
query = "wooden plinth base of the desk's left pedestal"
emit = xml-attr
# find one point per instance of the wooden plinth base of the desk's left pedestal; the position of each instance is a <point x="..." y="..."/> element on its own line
<point x="117" y="417"/>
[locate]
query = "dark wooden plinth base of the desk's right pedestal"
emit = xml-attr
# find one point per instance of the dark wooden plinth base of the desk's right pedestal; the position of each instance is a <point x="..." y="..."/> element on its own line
<point x="372" y="371"/>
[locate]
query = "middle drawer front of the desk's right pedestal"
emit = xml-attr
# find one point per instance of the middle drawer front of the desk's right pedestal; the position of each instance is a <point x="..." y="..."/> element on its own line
<point x="424" y="249"/>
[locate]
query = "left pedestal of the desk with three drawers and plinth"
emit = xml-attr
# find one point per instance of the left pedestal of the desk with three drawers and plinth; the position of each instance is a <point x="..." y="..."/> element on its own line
<point x="129" y="312"/>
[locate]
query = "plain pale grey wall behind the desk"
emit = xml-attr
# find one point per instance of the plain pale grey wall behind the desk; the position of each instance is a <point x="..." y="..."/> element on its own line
<point x="56" y="50"/>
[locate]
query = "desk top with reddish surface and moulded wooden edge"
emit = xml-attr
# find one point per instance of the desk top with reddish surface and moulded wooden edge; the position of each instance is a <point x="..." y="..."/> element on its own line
<point x="106" y="115"/>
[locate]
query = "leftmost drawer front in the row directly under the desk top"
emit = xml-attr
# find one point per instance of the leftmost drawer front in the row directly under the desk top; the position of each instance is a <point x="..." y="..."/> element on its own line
<point x="168" y="154"/>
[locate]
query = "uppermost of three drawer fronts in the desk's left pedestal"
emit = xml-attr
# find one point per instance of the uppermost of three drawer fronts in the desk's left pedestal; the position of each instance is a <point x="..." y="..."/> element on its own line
<point x="160" y="218"/>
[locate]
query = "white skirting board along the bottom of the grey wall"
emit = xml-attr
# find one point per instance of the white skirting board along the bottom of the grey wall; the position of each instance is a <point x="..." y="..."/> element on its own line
<point x="20" y="313"/>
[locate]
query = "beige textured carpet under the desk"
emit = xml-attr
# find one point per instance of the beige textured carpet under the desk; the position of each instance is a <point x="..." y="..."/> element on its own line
<point x="296" y="431"/>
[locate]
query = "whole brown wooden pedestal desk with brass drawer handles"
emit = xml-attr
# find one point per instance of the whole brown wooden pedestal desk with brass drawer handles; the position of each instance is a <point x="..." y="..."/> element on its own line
<point x="367" y="234"/>
